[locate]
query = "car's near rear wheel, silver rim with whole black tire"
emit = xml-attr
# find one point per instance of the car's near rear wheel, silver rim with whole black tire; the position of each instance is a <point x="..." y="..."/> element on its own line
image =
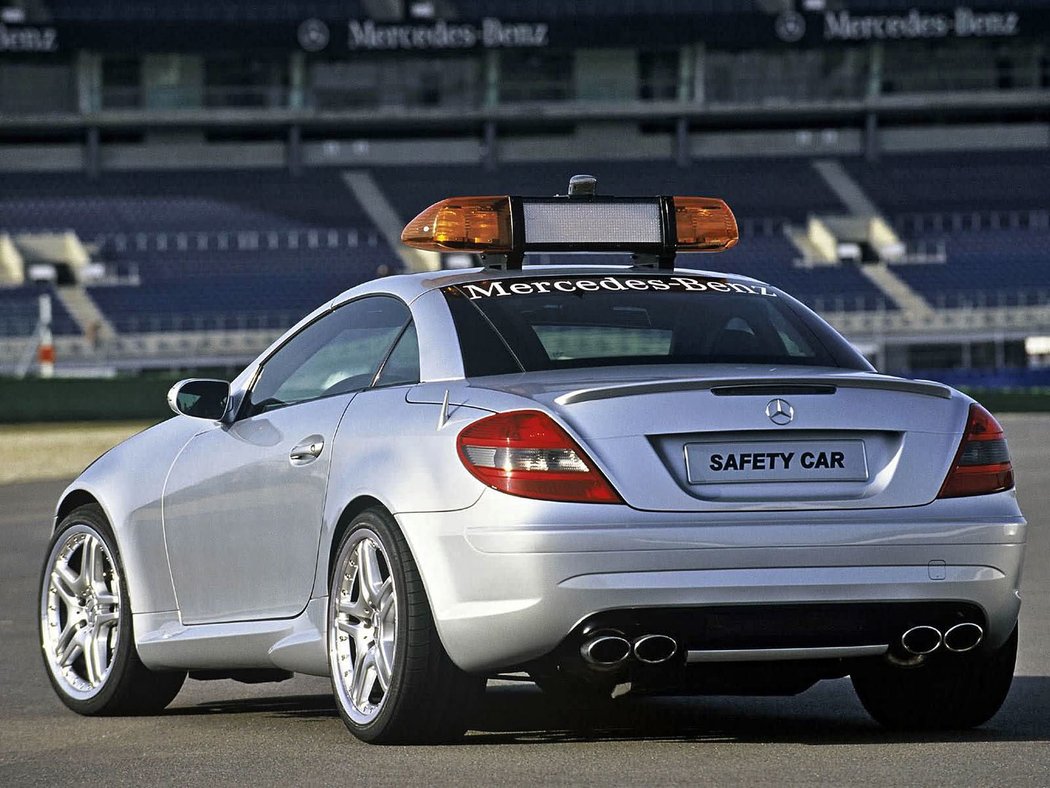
<point x="392" y="678"/>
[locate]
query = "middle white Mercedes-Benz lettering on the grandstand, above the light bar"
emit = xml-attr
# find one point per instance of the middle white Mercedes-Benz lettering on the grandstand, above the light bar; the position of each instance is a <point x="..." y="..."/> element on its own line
<point x="491" y="33"/>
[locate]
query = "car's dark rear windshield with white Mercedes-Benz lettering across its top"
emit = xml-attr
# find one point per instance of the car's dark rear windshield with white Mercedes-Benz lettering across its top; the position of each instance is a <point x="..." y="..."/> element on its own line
<point x="527" y="325"/>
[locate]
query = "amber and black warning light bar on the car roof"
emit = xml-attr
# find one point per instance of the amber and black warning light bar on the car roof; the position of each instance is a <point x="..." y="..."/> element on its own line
<point x="505" y="229"/>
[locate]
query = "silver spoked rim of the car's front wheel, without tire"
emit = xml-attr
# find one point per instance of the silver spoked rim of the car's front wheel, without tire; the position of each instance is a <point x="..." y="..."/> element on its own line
<point x="80" y="613"/>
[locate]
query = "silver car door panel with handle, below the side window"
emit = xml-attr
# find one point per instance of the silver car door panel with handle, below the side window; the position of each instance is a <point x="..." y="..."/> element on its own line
<point x="237" y="510"/>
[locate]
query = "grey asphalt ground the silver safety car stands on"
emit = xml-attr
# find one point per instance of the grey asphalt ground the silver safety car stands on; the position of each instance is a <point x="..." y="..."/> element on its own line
<point x="224" y="733"/>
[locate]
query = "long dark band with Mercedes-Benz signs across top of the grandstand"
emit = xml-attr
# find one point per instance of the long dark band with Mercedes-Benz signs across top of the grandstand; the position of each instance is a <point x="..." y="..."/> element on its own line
<point x="636" y="25"/>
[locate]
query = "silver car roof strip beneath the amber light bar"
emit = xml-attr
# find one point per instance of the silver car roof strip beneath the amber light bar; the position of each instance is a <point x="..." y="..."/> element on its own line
<point x="411" y="286"/>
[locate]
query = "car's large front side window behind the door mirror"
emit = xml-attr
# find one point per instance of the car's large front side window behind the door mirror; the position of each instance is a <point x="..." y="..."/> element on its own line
<point x="339" y="354"/>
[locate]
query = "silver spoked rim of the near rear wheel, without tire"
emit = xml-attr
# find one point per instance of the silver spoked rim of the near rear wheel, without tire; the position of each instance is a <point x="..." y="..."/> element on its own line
<point x="363" y="646"/>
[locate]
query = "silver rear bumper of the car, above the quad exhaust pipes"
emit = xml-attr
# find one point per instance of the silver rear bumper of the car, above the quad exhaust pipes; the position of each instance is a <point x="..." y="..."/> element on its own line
<point x="510" y="579"/>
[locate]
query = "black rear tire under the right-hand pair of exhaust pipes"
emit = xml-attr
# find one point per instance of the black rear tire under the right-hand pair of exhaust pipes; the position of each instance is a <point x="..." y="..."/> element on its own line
<point x="952" y="693"/>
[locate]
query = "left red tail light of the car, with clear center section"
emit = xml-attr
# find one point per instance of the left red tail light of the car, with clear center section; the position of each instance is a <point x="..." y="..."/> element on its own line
<point x="527" y="453"/>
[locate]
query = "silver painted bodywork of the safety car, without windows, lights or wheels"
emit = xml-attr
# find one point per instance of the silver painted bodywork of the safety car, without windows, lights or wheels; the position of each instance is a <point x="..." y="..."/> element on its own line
<point x="226" y="545"/>
